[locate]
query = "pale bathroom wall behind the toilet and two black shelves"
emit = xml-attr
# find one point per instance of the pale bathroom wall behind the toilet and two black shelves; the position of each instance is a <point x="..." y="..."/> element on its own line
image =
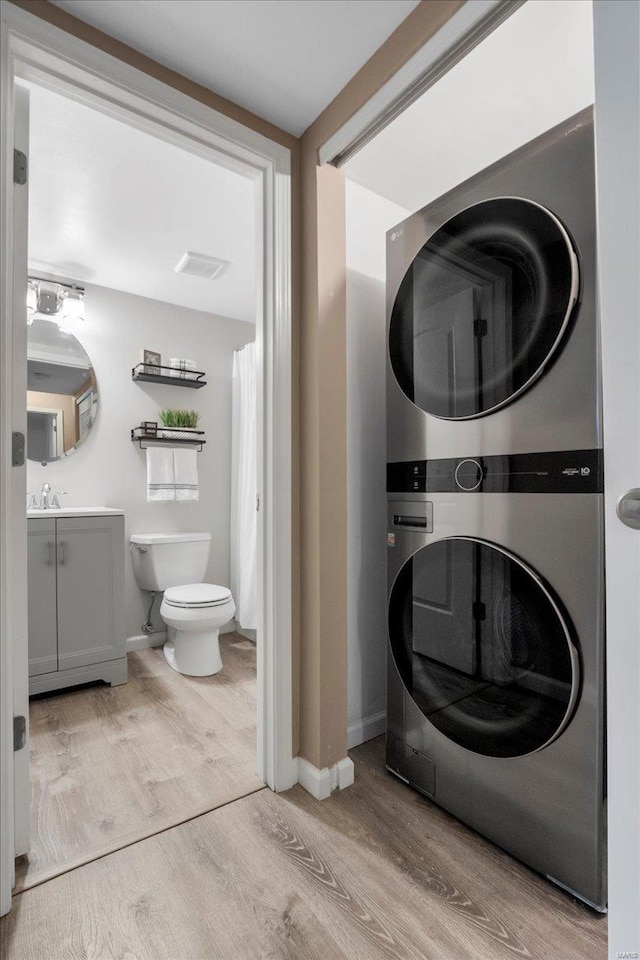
<point x="108" y="469"/>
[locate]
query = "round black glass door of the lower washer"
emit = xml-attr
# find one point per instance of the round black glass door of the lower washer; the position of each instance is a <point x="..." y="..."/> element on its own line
<point x="483" y="648"/>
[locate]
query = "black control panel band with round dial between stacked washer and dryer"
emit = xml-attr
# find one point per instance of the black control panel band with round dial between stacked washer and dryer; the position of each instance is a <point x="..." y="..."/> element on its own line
<point x="566" y="471"/>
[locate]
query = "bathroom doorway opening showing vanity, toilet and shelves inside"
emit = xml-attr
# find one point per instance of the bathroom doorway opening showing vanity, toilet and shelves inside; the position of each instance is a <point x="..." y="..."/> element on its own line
<point x="121" y="745"/>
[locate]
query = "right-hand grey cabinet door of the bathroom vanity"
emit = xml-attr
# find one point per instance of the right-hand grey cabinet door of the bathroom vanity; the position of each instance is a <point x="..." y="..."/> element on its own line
<point x="90" y="553"/>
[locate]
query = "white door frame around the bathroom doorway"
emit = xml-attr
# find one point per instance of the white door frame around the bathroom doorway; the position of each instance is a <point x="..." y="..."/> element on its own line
<point x="34" y="50"/>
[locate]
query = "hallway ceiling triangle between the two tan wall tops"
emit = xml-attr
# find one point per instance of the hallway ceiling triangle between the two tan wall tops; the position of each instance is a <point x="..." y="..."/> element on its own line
<point x="285" y="60"/>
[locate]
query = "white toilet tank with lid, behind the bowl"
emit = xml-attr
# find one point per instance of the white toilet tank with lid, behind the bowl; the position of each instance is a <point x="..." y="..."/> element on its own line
<point x="162" y="560"/>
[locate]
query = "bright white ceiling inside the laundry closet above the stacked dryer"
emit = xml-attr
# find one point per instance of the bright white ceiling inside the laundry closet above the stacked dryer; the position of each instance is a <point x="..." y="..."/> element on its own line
<point x="531" y="73"/>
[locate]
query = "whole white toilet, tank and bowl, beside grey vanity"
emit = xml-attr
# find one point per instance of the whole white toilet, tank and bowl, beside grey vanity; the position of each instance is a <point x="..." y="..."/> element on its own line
<point x="192" y="610"/>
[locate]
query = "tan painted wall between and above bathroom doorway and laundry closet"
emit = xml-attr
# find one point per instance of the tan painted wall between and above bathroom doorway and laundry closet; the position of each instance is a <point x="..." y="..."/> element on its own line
<point x="319" y="367"/>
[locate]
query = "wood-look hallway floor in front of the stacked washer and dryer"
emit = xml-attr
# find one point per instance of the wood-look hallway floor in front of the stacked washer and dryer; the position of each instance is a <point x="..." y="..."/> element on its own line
<point x="373" y="873"/>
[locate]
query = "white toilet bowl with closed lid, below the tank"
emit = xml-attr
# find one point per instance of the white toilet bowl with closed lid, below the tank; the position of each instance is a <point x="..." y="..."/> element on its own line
<point x="194" y="614"/>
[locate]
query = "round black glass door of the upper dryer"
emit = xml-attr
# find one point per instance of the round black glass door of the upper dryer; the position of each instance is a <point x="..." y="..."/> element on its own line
<point x="482" y="308"/>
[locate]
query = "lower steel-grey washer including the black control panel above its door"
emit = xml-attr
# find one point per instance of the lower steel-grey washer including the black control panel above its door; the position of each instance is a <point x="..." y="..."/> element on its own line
<point x="496" y="651"/>
